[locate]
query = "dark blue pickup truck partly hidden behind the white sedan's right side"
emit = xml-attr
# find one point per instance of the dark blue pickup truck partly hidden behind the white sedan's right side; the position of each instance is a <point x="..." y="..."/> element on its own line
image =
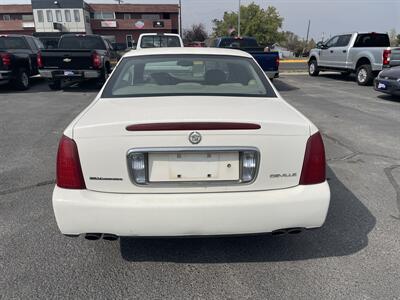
<point x="268" y="61"/>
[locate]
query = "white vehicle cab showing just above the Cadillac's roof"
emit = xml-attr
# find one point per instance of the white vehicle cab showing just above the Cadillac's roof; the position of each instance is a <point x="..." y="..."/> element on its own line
<point x="159" y="40"/>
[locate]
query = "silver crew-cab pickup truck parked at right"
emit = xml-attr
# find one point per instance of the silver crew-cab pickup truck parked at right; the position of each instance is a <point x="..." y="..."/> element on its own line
<point x="364" y="54"/>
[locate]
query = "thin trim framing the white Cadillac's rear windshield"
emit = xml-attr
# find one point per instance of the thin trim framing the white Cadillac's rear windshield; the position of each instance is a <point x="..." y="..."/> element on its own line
<point x="107" y="94"/>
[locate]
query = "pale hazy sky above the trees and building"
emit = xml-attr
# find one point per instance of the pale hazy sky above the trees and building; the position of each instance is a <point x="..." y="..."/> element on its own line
<point x="328" y="17"/>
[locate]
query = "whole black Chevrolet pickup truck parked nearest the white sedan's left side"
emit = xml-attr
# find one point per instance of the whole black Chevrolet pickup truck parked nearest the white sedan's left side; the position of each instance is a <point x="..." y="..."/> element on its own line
<point x="78" y="57"/>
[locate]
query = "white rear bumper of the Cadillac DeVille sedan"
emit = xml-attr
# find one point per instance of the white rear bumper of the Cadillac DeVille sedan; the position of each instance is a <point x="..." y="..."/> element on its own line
<point x="84" y="211"/>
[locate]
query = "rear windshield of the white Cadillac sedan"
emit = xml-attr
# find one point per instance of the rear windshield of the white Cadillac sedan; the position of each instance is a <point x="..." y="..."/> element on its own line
<point x="166" y="75"/>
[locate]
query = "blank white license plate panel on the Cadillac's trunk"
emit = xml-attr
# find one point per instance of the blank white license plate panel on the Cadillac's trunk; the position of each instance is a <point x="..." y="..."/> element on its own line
<point x="176" y="167"/>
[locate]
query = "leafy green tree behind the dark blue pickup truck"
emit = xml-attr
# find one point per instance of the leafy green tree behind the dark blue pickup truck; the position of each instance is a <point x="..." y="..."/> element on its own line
<point x="263" y="24"/>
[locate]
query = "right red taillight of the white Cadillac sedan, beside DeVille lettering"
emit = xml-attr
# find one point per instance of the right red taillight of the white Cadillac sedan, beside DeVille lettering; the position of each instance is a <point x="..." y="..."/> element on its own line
<point x="314" y="164"/>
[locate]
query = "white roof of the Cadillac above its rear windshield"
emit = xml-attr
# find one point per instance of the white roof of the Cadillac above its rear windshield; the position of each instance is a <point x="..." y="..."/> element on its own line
<point x="187" y="50"/>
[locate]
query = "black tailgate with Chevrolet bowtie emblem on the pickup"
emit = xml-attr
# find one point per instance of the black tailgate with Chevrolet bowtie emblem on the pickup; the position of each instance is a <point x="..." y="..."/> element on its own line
<point x="67" y="59"/>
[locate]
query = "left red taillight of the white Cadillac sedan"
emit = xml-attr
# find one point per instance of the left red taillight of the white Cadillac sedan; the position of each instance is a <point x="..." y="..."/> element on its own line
<point x="69" y="172"/>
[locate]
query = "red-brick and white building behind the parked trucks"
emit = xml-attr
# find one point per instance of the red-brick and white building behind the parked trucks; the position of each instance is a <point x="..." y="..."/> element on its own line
<point x="120" y="23"/>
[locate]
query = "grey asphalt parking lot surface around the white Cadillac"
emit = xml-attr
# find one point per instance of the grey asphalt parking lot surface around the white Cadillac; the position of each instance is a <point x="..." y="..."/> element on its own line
<point x="355" y="255"/>
